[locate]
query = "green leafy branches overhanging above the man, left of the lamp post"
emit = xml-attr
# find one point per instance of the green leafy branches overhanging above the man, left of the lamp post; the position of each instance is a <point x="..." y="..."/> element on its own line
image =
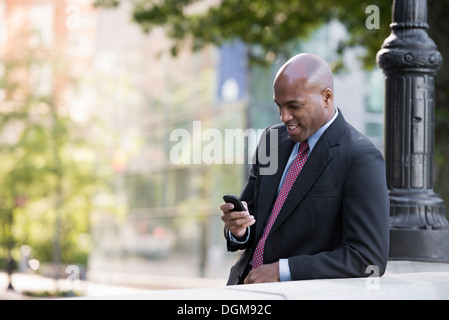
<point x="267" y="26"/>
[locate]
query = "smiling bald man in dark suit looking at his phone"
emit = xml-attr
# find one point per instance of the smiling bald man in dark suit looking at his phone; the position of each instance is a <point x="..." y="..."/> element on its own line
<point x="334" y="222"/>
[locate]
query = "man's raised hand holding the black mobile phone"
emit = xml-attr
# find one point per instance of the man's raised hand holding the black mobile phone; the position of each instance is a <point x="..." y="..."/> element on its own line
<point x="236" y="221"/>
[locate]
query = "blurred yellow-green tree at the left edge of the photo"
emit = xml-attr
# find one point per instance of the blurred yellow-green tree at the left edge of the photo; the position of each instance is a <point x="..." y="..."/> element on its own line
<point x="49" y="161"/>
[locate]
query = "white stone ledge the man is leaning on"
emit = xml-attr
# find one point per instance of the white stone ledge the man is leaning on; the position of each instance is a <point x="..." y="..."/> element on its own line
<point x="404" y="280"/>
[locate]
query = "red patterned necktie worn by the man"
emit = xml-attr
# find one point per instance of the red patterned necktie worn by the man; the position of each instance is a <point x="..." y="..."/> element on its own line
<point x="292" y="174"/>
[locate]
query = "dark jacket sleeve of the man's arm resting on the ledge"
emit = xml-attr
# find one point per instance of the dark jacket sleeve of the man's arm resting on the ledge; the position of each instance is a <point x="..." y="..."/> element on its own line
<point x="365" y="217"/>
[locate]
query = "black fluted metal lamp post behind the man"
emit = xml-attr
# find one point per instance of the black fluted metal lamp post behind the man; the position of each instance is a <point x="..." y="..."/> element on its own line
<point x="410" y="59"/>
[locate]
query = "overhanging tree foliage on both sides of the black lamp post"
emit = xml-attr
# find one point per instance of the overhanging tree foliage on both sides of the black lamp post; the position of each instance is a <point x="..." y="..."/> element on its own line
<point x="271" y="28"/>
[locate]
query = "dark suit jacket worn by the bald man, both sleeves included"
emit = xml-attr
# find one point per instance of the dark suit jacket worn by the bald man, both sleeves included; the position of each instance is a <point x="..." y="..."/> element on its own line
<point x="335" y="220"/>
